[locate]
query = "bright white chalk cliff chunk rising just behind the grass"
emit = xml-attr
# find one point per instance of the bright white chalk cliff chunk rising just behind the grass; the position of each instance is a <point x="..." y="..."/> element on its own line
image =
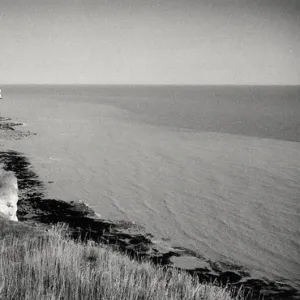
<point x="8" y="195"/>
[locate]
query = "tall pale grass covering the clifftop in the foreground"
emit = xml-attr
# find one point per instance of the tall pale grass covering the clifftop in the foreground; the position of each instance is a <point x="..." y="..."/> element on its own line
<point x="39" y="265"/>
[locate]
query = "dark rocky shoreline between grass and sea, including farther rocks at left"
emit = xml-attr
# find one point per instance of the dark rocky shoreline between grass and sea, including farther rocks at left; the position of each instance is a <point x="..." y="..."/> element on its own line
<point x="126" y="237"/>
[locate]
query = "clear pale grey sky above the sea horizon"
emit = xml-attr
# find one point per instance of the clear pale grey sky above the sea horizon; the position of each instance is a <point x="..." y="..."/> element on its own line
<point x="238" y="42"/>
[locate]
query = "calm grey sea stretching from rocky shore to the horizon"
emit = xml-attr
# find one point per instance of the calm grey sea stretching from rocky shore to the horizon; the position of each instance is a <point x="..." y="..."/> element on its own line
<point x="213" y="169"/>
